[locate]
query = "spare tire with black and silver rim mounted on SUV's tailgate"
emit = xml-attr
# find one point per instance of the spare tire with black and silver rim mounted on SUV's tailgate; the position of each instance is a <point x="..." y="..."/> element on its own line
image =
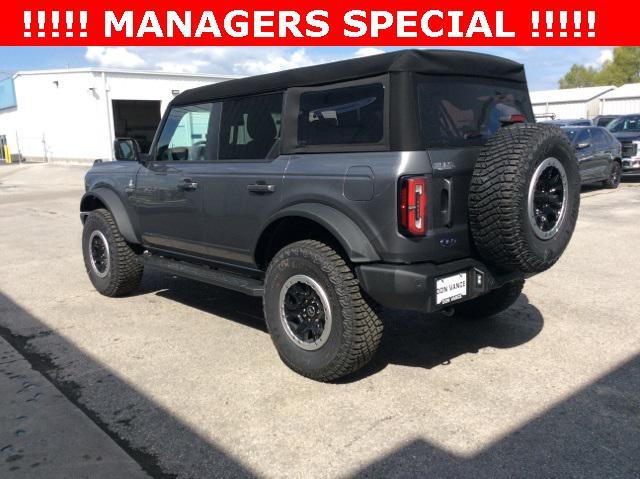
<point x="524" y="198"/>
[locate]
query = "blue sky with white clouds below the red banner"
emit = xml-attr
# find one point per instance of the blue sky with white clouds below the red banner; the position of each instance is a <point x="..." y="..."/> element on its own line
<point x="544" y="65"/>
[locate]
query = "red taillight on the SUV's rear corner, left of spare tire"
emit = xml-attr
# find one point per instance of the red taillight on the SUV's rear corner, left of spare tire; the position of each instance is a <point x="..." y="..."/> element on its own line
<point x="413" y="206"/>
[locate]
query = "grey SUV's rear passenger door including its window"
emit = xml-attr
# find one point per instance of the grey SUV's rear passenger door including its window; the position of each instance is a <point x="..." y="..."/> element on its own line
<point x="242" y="188"/>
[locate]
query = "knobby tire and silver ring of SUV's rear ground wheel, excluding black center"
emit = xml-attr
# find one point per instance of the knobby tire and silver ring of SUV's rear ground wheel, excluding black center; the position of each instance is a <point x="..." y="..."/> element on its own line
<point x="355" y="330"/>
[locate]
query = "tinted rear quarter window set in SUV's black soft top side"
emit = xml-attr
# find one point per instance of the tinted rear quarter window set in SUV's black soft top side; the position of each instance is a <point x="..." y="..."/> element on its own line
<point x="351" y="115"/>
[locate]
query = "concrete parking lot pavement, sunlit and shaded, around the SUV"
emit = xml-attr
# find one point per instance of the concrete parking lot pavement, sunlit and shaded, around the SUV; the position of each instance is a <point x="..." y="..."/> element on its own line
<point x="181" y="379"/>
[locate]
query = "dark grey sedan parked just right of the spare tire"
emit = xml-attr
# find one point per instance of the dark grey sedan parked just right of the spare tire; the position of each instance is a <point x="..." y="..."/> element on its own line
<point x="599" y="154"/>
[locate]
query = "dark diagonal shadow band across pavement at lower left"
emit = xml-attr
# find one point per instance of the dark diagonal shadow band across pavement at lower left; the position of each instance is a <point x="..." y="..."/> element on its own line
<point x="135" y="422"/>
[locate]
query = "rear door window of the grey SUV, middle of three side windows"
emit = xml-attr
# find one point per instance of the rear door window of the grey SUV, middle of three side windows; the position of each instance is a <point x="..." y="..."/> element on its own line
<point x="250" y="127"/>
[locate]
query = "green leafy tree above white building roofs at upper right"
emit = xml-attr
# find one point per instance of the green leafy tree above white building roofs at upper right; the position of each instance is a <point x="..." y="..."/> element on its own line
<point x="624" y="68"/>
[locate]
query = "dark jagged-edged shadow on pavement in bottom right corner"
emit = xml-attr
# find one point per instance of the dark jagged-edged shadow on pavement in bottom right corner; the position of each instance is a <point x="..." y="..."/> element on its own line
<point x="593" y="434"/>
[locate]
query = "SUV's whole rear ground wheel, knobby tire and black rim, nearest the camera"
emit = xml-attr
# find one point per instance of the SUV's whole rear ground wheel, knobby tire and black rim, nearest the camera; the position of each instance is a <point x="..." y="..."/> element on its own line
<point x="319" y="321"/>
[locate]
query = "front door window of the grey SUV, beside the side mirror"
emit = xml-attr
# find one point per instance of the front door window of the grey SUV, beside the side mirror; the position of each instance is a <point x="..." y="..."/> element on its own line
<point x="185" y="134"/>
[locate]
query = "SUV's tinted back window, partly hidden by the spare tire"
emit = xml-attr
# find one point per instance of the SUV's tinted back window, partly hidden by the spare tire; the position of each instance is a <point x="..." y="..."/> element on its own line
<point x="458" y="111"/>
